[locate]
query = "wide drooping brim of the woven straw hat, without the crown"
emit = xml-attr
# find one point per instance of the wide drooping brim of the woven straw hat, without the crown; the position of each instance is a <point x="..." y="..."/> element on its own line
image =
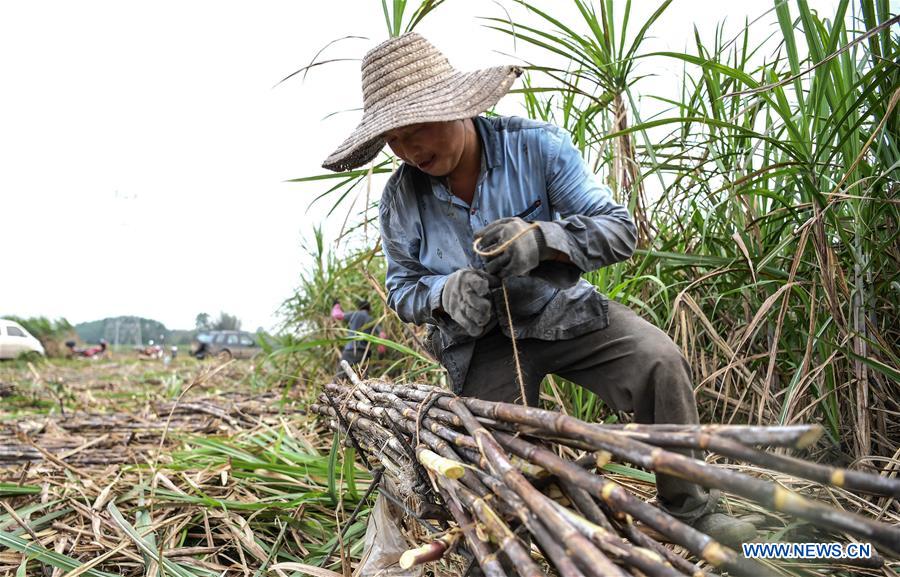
<point x="460" y="95"/>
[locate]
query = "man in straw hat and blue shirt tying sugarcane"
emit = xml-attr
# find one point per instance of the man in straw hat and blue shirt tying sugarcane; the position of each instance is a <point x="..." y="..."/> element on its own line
<point x="521" y="189"/>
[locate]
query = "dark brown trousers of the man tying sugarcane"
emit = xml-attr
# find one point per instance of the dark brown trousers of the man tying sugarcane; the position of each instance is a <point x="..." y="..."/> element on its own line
<point x="632" y="365"/>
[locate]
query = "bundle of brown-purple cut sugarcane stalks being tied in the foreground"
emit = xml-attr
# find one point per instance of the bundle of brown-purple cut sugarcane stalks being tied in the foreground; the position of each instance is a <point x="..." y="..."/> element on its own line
<point x="484" y="465"/>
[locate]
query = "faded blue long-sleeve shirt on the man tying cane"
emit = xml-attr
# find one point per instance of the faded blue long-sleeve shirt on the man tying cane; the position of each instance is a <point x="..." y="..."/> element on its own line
<point x="531" y="170"/>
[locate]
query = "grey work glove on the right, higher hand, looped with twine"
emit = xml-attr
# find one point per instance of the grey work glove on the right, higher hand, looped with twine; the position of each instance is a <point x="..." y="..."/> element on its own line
<point x="521" y="256"/>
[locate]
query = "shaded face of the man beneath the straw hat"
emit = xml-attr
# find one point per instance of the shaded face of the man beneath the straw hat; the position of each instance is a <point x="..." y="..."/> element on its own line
<point x="433" y="147"/>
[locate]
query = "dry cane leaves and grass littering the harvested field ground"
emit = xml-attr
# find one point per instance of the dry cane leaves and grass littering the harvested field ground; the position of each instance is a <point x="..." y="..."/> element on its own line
<point x="118" y="465"/>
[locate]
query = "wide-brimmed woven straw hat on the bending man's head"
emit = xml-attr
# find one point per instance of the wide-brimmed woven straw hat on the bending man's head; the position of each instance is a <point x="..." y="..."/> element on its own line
<point x="406" y="80"/>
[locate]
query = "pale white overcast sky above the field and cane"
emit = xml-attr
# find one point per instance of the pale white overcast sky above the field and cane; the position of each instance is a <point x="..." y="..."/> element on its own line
<point x="145" y="146"/>
